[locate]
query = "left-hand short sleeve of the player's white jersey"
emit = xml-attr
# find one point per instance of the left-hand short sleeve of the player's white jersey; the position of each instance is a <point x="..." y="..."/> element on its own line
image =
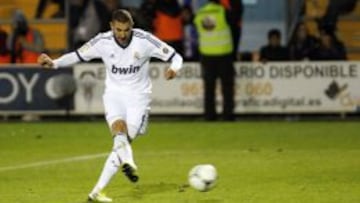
<point x="89" y="50"/>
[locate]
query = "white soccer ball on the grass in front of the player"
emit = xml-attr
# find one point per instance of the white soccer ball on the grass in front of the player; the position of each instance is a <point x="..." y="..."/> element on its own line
<point x="202" y="177"/>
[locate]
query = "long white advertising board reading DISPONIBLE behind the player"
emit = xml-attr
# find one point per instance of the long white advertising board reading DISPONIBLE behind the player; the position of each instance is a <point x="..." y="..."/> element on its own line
<point x="296" y="87"/>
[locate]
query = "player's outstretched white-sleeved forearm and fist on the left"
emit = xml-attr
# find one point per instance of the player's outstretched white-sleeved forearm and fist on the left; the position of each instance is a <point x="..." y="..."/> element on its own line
<point x="65" y="60"/>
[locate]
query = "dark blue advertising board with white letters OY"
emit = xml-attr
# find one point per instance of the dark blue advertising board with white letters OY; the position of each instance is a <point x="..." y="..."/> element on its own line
<point x="33" y="89"/>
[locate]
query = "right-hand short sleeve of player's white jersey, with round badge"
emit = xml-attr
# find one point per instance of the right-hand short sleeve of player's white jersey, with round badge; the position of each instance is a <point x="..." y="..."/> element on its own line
<point x="160" y="49"/>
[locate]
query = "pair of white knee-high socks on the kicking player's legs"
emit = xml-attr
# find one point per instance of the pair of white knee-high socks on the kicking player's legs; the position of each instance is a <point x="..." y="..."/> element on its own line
<point x="122" y="153"/>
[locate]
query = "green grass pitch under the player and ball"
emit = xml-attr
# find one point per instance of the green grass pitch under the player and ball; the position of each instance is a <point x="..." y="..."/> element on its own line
<point x="256" y="162"/>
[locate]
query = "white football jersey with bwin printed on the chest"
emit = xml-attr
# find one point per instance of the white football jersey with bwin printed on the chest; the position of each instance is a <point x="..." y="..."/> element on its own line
<point x="127" y="68"/>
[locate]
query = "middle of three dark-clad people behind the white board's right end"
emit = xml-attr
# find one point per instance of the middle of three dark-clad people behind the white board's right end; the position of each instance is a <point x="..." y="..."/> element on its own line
<point x="302" y="44"/>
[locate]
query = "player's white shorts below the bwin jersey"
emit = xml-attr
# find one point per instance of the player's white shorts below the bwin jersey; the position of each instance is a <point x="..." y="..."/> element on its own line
<point x="133" y="109"/>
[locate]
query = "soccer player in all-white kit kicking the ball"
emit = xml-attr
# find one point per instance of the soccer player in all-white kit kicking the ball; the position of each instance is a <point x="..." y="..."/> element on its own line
<point x="126" y="52"/>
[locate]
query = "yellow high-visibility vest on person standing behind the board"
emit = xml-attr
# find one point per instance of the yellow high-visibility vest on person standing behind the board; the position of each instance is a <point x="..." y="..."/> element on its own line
<point x="213" y="30"/>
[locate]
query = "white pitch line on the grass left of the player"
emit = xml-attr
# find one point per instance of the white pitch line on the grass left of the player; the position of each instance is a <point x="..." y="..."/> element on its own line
<point x="52" y="162"/>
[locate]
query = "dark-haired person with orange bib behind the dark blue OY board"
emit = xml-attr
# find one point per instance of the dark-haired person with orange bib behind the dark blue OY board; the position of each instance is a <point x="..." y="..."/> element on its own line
<point x="25" y="43"/>
